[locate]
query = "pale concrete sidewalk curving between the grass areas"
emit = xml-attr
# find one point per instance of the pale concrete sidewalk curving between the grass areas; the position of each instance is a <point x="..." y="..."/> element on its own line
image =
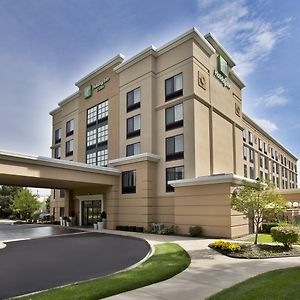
<point x="208" y="273"/>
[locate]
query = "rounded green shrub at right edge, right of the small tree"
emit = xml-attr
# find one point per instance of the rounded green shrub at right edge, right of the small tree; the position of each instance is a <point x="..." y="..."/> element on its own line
<point x="285" y="235"/>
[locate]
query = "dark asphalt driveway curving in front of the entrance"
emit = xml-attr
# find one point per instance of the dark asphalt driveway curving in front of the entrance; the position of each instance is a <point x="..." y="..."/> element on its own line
<point x="32" y="265"/>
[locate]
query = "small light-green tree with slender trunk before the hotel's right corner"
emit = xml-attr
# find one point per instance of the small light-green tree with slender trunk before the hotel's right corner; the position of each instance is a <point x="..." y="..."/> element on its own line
<point x="256" y="200"/>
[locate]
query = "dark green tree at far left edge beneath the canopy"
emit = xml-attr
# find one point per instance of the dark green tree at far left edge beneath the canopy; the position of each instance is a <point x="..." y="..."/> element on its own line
<point x="7" y="194"/>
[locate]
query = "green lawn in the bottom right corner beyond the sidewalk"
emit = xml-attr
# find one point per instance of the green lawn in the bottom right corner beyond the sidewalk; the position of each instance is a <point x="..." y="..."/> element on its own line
<point x="279" y="284"/>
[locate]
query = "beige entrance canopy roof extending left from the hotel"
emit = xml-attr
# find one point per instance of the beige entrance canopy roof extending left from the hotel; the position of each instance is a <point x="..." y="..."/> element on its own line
<point x="43" y="172"/>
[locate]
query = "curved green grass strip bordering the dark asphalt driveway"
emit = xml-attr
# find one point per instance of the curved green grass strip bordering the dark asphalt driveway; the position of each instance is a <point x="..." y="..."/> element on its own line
<point x="168" y="260"/>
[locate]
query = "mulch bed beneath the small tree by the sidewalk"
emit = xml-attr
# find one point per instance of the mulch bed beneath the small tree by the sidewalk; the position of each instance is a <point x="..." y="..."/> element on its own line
<point x="258" y="251"/>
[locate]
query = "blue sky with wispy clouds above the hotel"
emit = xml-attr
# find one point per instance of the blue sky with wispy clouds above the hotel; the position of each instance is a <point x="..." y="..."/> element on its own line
<point x="47" y="45"/>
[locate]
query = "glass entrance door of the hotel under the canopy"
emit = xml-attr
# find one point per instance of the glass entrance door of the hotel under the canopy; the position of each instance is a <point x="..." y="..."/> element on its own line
<point x="91" y="211"/>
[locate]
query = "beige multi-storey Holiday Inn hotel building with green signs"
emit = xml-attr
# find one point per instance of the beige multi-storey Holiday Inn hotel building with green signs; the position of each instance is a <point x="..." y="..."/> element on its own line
<point x="168" y="126"/>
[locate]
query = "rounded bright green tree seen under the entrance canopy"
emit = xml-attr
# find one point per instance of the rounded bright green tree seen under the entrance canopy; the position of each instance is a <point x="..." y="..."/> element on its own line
<point x="25" y="203"/>
